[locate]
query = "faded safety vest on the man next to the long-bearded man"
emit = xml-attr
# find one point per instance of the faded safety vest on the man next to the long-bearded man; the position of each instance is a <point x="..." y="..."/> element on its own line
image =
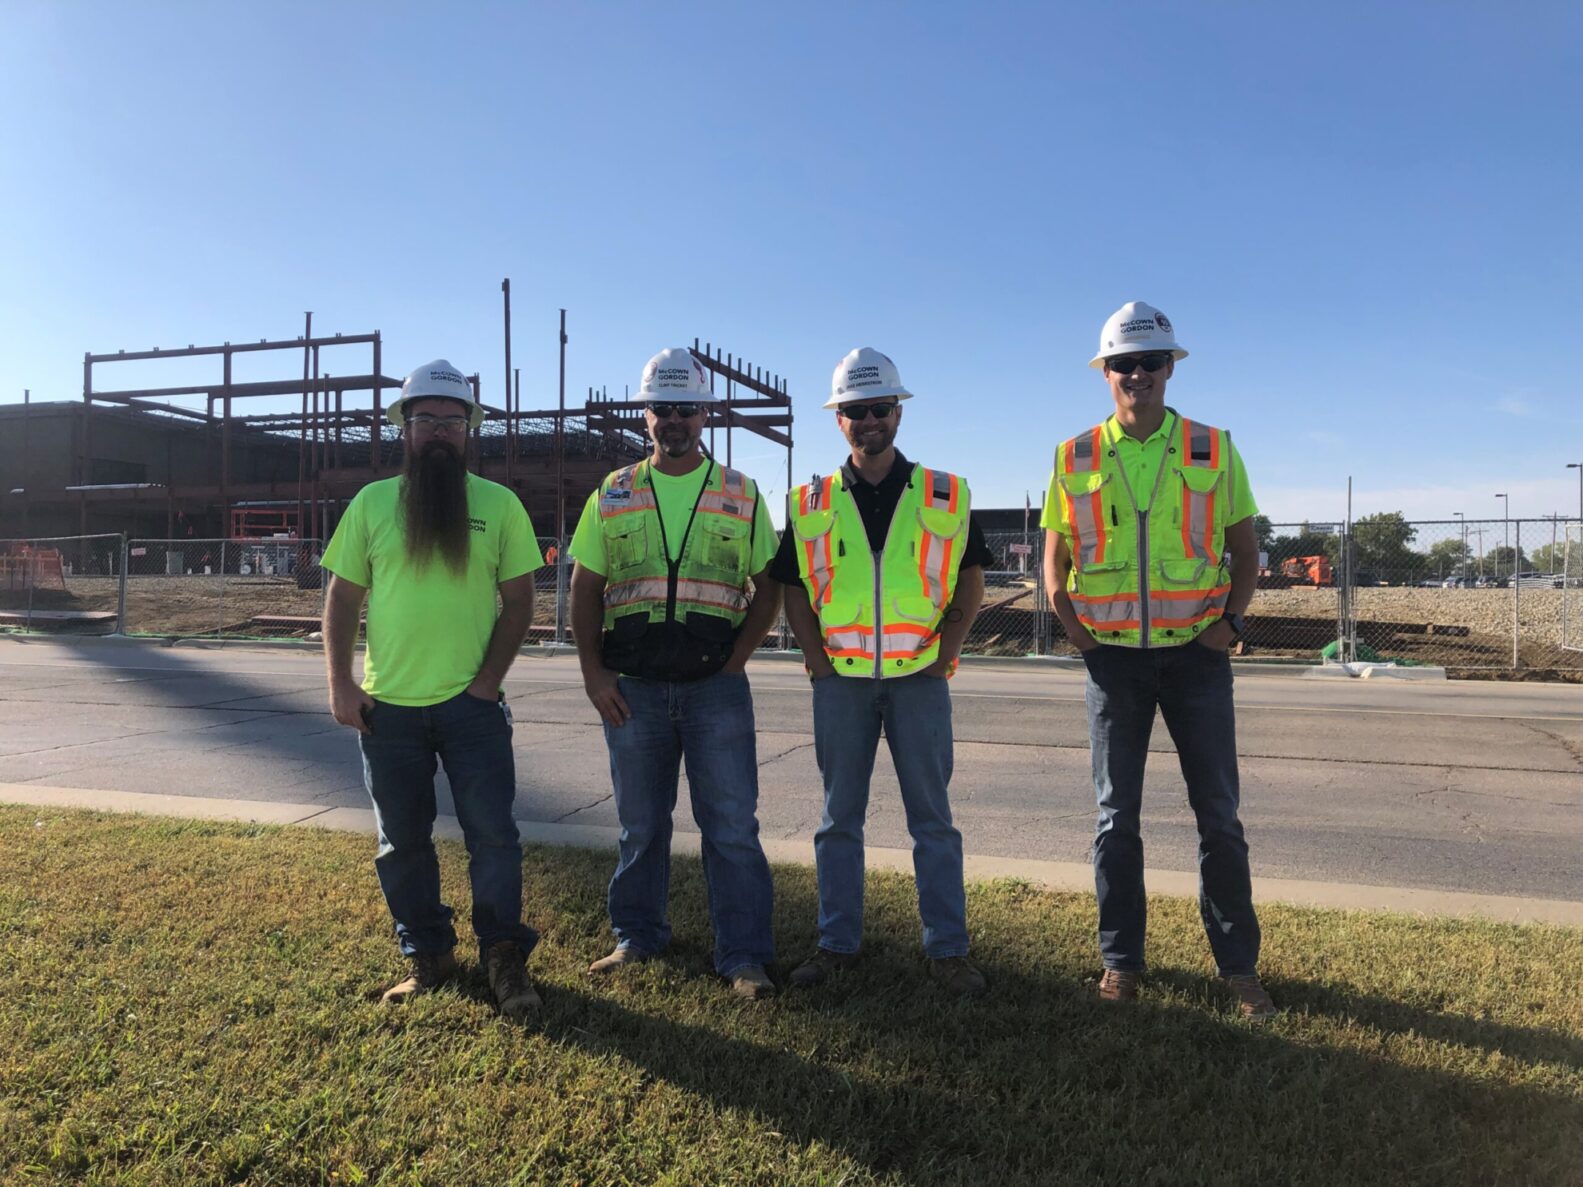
<point x="710" y="577"/>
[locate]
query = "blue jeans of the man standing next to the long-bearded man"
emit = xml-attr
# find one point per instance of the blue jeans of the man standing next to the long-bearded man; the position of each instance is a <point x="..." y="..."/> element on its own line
<point x="710" y="724"/>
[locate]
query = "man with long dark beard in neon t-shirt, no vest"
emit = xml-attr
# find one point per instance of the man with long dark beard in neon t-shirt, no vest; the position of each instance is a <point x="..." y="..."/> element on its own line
<point x="430" y="552"/>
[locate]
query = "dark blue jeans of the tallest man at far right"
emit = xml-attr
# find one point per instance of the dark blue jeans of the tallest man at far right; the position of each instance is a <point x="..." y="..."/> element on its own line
<point x="1193" y="688"/>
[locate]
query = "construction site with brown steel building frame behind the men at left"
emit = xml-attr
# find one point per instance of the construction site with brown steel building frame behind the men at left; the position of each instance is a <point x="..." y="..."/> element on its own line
<point x="235" y="487"/>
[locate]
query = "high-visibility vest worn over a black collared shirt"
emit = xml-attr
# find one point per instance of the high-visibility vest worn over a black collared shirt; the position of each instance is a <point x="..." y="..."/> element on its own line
<point x="881" y="612"/>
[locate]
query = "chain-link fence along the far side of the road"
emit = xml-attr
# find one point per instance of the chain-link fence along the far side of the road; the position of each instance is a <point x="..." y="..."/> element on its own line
<point x="1460" y="594"/>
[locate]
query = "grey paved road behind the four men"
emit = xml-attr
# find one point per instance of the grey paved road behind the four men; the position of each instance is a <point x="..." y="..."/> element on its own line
<point x="1446" y="787"/>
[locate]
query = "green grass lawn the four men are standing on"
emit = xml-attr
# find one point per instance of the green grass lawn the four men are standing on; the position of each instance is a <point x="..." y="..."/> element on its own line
<point x="191" y="1004"/>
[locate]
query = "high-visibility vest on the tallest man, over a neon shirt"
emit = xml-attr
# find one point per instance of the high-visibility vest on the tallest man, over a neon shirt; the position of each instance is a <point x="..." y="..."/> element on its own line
<point x="1148" y="567"/>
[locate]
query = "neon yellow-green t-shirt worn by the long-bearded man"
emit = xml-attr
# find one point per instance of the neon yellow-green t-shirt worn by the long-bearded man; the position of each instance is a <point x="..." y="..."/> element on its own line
<point x="430" y="628"/>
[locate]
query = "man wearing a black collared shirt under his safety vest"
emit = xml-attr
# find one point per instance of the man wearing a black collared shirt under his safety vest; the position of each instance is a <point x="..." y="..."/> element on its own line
<point x="884" y="574"/>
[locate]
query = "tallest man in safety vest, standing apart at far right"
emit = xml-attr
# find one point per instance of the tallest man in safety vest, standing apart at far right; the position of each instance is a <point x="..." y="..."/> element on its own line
<point x="1152" y="559"/>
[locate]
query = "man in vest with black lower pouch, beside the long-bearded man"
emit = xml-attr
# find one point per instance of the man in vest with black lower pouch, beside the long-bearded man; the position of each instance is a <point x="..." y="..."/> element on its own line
<point x="669" y="604"/>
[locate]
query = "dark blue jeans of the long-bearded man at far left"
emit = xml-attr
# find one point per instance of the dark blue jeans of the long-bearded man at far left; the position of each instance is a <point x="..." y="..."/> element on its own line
<point x="474" y="741"/>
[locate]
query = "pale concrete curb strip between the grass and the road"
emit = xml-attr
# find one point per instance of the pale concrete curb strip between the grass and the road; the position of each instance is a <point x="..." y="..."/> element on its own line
<point x="1061" y="876"/>
